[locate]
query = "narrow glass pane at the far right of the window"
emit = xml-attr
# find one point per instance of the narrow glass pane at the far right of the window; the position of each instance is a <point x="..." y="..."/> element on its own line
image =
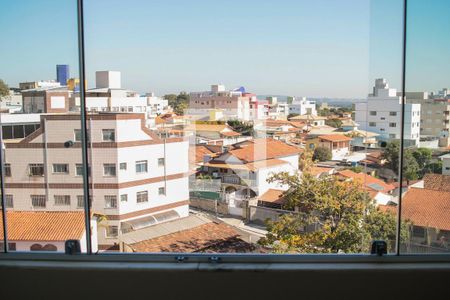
<point x="426" y="201"/>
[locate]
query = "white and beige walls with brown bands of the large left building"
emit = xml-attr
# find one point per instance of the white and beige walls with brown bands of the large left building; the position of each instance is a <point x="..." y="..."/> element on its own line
<point x="128" y="129"/>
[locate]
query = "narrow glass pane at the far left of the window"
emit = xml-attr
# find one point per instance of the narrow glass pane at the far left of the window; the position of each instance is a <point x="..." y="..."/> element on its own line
<point x="38" y="123"/>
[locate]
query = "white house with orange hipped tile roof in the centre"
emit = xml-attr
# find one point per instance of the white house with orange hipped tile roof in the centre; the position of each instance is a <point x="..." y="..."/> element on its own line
<point x="244" y="171"/>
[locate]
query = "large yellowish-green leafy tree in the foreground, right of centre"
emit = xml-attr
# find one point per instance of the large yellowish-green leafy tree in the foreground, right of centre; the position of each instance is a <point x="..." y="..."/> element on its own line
<point x="333" y="216"/>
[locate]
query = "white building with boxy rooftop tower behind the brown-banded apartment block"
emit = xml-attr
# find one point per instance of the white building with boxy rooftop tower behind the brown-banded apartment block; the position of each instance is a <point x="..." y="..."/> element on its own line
<point x="109" y="96"/>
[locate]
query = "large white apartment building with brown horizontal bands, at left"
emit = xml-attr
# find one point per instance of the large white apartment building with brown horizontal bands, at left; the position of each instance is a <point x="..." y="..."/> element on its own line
<point x="137" y="179"/>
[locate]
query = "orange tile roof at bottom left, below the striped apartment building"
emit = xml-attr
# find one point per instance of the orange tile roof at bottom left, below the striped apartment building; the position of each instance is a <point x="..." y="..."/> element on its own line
<point x="44" y="225"/>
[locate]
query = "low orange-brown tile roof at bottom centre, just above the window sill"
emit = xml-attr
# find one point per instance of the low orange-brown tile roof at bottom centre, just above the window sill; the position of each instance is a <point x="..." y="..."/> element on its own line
<point x="210" y="237"/>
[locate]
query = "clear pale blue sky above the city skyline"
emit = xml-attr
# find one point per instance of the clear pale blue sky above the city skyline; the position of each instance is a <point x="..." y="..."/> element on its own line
<point x="291" y="47"/>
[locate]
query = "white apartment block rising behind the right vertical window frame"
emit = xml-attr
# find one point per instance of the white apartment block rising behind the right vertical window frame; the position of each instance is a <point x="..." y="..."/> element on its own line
<point x="381" y="114"/>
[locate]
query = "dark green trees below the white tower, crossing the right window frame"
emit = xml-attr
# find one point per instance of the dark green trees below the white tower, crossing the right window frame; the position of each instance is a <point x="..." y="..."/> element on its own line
<point x="416" y="161"/>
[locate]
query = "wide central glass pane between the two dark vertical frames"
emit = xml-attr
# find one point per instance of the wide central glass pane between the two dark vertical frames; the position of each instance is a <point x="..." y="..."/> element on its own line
<point x="193" y="107"/>
